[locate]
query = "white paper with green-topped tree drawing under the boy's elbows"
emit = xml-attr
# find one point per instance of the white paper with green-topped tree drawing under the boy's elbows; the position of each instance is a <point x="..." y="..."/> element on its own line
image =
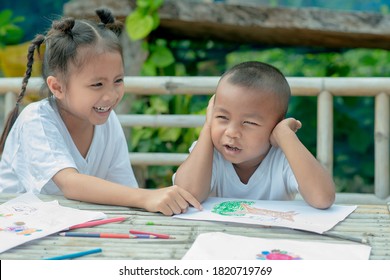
<point x="294" y="214"/>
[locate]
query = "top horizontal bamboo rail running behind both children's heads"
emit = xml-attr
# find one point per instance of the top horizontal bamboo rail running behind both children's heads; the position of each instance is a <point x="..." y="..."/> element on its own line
<point x="300" y="86"/>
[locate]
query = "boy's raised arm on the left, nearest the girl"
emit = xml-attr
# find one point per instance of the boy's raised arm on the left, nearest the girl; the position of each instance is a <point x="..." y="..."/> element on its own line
<point x="194" y="174"/>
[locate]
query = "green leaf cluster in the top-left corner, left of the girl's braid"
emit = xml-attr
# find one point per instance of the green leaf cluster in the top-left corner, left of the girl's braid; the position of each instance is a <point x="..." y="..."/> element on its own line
<point x="10" y="33"/>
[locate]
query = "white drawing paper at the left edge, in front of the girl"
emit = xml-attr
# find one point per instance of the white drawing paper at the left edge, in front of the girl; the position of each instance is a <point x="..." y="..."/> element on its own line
<point x="26" y="218"/>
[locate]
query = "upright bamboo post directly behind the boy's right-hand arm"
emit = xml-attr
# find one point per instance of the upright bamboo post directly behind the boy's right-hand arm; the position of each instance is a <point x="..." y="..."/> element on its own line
<point x="325" y="130"/>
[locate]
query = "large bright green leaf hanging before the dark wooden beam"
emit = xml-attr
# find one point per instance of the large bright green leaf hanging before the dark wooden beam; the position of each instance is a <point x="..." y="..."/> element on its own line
<point x="138" y="26"/>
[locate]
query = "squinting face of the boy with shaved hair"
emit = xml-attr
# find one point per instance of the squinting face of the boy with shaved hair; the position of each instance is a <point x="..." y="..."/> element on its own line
<point x="242" y="123"/>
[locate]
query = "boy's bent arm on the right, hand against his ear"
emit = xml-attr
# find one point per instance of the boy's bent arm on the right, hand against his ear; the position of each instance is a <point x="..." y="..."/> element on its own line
<point x="315" y="183"/>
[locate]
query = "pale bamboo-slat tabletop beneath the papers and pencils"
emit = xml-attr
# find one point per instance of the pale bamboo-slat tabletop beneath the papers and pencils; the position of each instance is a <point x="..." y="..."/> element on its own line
<point x="367" y="222"/>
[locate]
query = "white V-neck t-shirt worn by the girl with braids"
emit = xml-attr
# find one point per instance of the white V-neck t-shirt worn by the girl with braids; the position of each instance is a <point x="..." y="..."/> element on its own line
<point x="39" y="145"/>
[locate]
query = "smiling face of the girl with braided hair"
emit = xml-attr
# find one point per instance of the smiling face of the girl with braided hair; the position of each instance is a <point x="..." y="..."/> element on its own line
<point x="93" y="91"/>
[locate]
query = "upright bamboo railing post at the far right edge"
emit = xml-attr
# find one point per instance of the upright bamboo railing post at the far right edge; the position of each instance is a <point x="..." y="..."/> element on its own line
<point x="382" y="167"/>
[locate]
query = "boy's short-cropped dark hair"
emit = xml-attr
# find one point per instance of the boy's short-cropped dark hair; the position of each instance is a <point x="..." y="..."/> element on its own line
<point x="260" y="76"/>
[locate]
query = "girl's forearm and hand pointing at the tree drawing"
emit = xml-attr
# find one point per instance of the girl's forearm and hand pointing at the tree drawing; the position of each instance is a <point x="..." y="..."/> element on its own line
<point x="170" y="200"/>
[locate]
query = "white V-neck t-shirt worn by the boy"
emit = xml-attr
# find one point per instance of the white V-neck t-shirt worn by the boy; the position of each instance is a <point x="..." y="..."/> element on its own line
<point x="272" y="180"/>
